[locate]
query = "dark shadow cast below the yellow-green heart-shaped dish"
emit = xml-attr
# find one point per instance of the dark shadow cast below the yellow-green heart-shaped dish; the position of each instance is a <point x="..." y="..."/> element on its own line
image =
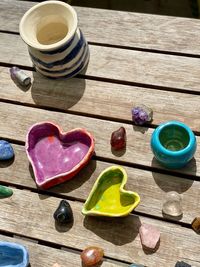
<point x="118" y="231"/>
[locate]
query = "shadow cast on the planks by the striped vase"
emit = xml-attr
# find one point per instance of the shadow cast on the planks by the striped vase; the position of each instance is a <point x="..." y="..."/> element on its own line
<point x="56" y="93"/>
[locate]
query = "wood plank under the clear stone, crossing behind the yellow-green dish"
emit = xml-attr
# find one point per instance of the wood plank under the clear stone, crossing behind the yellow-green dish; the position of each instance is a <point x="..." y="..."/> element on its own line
<point x="146" y="183"/>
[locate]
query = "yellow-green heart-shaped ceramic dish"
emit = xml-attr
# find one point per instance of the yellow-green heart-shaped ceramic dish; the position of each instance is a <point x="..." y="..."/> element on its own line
<point x="108" y="197"/>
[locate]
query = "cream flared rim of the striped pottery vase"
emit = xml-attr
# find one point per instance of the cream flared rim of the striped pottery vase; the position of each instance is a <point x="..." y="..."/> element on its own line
<point x="43" y="47"/>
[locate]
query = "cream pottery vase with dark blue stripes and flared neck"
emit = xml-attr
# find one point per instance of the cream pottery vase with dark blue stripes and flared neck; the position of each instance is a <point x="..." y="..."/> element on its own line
<point x="56" y="45"/>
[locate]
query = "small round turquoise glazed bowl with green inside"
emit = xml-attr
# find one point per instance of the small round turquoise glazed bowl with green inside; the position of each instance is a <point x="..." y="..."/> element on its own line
<point x="173" y="144"/>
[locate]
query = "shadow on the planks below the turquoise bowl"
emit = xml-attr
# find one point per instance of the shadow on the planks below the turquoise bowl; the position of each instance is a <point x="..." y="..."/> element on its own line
<point x="168" y="182"/>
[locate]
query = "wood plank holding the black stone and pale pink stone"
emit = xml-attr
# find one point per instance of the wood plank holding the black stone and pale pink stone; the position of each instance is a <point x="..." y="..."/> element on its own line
<point x="118" y="237"/>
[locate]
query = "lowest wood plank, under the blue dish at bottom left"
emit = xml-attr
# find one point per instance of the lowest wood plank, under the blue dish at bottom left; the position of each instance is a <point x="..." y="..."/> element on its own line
<point x="44" y="256"/>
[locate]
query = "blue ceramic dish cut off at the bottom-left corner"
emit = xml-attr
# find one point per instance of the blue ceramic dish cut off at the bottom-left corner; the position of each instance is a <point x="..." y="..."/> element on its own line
<point x="13" y="254"/>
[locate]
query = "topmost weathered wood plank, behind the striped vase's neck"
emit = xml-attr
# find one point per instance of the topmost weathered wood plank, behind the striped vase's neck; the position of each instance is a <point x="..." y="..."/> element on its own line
<point x="121" y="28"/>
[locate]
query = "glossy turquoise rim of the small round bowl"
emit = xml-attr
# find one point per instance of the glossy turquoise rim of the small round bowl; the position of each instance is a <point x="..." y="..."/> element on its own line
<point x="191" y="143"/>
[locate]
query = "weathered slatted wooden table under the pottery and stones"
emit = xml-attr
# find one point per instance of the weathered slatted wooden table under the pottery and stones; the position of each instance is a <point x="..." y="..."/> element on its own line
<point x="135" y="58"/>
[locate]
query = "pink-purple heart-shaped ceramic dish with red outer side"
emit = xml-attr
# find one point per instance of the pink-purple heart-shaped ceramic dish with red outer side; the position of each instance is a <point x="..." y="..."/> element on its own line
<point x="56" y="156"/>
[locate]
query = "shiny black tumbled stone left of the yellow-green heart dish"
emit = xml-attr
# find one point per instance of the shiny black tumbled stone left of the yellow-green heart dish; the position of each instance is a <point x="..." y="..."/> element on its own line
<point x="63" y="213"/>
